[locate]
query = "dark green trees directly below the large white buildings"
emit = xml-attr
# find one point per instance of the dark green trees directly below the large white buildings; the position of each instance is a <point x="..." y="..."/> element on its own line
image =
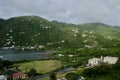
<point x="104" y="72"/>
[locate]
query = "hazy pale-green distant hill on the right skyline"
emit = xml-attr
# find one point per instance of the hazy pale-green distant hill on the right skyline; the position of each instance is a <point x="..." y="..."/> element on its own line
<point x="104" y="30"/>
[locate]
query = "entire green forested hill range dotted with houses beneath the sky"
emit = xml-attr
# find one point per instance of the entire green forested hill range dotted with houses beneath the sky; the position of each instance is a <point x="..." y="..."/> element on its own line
<point x="33" y="32"/>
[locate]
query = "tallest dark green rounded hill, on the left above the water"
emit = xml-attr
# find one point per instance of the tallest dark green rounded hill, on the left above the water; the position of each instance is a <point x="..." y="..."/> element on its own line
<point x="29" y="31"/>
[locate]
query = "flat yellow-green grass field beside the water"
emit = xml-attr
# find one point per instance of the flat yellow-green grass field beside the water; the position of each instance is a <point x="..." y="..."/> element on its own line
<point x="40" y="66"/>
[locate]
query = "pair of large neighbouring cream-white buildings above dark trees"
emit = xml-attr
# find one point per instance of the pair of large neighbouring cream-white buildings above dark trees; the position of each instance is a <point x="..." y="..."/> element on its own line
<point x="98" y="61"/>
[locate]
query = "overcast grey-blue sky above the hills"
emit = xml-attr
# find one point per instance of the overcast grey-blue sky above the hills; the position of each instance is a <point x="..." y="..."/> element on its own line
<point x="71" y="11"/>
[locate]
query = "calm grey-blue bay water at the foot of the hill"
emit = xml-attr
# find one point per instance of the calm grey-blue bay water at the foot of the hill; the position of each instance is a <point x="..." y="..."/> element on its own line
<point x="14" y="55"/>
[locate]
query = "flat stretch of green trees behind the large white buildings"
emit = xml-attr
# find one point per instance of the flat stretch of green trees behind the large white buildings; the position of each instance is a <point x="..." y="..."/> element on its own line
<point x="80" y="57"/>
